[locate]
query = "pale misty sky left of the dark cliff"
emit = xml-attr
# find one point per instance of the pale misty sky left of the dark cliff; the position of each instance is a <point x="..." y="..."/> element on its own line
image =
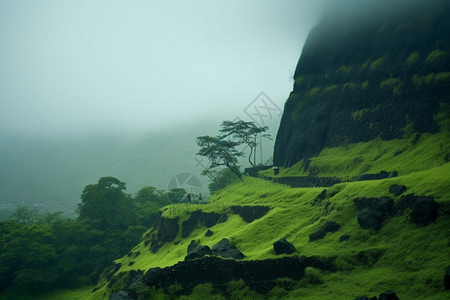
<point x="134" y="66"/>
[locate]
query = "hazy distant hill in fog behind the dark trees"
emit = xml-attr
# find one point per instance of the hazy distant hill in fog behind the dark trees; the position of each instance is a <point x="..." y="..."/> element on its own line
<point x="51" y="174"/>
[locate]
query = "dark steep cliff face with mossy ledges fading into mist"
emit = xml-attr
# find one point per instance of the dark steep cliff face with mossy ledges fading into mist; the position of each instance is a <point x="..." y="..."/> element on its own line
<point x="356" y="80"/>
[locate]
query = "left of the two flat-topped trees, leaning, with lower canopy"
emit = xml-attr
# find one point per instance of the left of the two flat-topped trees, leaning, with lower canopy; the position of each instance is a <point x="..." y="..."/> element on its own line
<point x="220" y="152"/>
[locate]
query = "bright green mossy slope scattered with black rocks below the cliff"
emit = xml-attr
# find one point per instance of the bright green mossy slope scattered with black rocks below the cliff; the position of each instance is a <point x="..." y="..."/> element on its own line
<point x="403" y="257"/>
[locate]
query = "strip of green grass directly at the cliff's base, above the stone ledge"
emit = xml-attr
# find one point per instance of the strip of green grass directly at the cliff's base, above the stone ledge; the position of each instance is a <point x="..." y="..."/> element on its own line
<point x="377" y="155"/>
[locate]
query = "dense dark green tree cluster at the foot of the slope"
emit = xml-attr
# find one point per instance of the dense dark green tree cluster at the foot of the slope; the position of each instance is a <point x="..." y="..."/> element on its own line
<point x="45" y="251"/>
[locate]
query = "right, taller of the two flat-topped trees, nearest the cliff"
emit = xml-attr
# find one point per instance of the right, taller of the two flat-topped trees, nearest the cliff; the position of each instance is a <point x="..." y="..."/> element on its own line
<point x="242" y="132"/>
